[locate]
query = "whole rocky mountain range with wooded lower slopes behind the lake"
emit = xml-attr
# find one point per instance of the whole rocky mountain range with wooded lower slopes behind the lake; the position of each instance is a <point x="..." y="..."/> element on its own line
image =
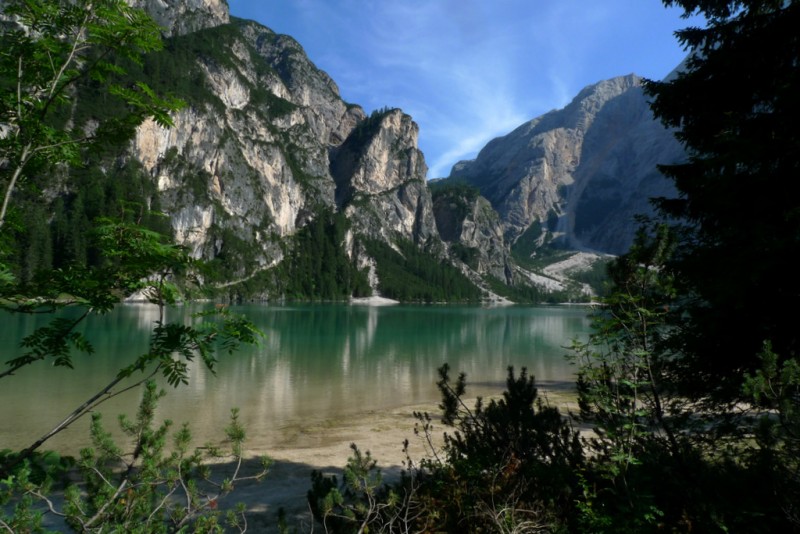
<point x="284" y="190"/>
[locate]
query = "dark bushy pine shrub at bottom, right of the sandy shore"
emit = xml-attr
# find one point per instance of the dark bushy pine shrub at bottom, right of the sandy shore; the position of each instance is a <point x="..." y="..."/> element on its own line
<point x="513" y="459"/>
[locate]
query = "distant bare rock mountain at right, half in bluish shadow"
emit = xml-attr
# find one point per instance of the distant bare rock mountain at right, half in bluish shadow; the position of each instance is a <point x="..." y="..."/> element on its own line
<point x="581" y="172"/>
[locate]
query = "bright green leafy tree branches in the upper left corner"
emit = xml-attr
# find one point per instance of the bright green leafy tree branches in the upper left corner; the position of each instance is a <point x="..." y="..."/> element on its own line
<point x="48" y="47"/>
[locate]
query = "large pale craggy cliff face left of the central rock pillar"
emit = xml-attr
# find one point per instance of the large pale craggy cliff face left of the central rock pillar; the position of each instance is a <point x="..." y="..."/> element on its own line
<point x="247" y="162"/>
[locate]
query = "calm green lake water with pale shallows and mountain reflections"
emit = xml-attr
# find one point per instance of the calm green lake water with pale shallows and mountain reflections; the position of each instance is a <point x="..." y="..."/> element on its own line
<point x="317" y="362"/>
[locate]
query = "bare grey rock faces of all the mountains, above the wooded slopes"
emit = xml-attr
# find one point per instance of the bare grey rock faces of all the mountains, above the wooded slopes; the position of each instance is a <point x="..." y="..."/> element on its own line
<point x="266" y="142"/>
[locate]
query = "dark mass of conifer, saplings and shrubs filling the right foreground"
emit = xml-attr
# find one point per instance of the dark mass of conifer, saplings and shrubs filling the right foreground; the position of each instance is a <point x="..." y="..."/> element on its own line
<point x="690" y="379"/>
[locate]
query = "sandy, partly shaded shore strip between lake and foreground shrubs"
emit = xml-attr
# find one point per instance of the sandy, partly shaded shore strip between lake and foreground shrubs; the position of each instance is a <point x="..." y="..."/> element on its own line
<point x="325" y="445"/>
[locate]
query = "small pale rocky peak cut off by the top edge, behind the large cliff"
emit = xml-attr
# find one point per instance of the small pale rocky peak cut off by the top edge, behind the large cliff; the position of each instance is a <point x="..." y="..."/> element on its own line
<point x="179" y="17"/>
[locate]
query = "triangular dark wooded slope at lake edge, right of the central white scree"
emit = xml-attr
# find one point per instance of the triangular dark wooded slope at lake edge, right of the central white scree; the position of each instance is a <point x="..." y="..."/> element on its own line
<point x="410" y="274"/>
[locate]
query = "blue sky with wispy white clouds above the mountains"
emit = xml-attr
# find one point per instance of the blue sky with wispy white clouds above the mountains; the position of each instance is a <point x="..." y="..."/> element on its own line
<point x="468" y="71"/>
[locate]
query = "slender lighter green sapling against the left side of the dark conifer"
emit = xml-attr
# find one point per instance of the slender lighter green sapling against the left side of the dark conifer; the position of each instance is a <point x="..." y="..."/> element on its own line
<point x="622" y="373"/>
